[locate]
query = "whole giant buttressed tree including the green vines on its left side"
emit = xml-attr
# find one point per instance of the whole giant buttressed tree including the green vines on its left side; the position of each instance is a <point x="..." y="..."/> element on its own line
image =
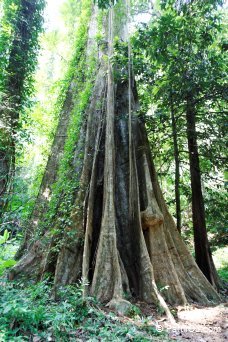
<point x="101" y="213"/>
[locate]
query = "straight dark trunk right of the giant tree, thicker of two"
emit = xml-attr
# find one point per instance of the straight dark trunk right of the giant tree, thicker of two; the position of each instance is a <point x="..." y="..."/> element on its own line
<point x="203" y="253"/>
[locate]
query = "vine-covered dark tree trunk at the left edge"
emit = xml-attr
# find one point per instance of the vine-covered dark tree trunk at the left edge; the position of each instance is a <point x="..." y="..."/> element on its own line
<point x="16" y="84"/>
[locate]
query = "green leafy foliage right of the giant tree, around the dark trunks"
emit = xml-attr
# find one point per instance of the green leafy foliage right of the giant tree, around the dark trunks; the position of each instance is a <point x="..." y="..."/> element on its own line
<point x="180" y="52"/>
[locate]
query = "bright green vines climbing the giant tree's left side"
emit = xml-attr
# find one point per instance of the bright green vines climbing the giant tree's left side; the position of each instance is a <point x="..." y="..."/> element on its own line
<point x="80" y="73"/>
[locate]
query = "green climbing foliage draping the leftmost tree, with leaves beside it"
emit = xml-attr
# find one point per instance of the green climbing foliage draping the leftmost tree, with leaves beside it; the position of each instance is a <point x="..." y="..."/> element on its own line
<point x="21" y="25"/>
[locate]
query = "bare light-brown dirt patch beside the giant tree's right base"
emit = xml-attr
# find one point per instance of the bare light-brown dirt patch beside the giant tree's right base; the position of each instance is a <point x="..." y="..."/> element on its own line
<point x="198" y="324"/>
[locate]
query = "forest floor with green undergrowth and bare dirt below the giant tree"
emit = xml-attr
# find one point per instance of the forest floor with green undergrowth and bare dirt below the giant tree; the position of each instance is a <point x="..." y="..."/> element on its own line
<point x="28" y="312"/>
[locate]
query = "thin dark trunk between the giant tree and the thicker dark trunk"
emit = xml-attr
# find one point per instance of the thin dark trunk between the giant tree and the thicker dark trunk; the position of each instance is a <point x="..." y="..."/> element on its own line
<point x="177" y="165"/>
